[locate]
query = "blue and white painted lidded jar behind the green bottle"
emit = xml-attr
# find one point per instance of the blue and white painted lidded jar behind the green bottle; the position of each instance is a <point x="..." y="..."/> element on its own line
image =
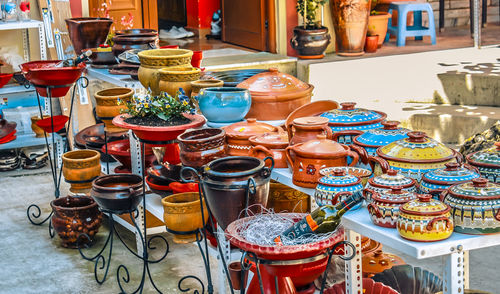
<point x="331" y="189"/>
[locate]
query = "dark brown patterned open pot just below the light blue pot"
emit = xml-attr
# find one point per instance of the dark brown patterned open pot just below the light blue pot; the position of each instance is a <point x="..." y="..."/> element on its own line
<point x="199" y="147"/>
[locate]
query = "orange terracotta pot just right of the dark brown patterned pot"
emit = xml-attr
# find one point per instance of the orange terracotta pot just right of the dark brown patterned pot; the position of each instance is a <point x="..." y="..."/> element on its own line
<point x="238" y="135"/>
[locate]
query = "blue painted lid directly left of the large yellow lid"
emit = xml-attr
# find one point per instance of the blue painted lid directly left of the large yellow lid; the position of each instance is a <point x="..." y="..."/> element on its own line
<point x="382" y="136"/>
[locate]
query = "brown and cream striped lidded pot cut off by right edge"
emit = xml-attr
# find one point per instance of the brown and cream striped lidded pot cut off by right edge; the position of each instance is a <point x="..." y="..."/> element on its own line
<point x="475" y="206"/>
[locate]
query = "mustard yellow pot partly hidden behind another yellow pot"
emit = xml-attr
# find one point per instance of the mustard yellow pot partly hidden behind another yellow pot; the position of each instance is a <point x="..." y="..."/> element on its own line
<point x="154" y="60"/>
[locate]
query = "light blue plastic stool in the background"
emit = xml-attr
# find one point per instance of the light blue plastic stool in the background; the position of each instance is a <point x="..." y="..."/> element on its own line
<point x="417" y="30"/>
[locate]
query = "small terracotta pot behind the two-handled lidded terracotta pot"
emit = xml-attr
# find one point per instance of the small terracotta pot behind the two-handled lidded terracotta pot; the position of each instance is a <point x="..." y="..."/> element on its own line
<point x="308" y="128"/>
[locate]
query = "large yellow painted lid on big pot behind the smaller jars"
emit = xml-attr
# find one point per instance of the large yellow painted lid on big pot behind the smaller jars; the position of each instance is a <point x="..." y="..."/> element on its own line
<point x="416" y="148"/>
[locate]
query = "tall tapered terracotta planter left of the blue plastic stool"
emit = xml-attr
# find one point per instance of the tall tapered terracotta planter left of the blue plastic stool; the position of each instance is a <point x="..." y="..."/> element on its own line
<point x="350" y="19"/>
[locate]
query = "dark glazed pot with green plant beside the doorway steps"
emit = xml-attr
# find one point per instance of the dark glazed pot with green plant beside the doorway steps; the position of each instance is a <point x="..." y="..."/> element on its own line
<point x="310" y="39"/>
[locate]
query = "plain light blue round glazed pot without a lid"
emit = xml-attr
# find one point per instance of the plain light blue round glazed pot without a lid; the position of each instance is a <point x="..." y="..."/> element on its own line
<point x="224" y="105"/>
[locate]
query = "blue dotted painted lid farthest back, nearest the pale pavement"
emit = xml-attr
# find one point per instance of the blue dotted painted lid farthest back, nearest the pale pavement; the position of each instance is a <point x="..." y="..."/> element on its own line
<point x="348" y="115"/>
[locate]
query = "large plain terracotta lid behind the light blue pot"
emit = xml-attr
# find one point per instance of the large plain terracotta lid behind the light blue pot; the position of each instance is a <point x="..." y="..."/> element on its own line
<point x="274" y="83"/>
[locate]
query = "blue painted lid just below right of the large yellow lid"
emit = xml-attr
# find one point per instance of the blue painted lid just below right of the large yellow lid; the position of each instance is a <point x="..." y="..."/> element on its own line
<point x="453" y="173"/>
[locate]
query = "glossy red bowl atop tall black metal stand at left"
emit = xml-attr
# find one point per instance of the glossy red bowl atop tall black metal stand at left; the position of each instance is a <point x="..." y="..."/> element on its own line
<point x="44" y="73"/>
